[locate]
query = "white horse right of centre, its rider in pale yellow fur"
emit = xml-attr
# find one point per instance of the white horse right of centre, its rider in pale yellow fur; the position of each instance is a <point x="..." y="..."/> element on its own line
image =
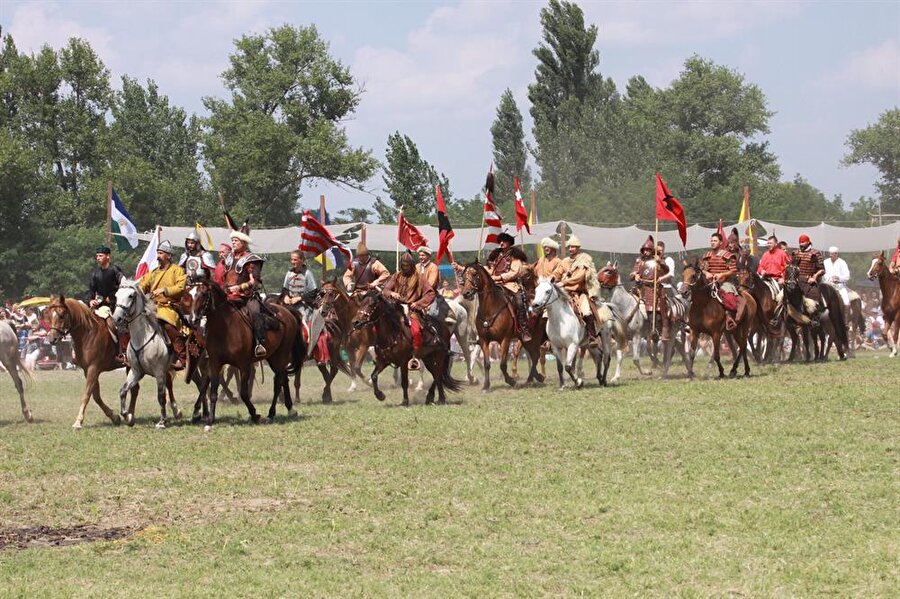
<point x="567" y="333"/>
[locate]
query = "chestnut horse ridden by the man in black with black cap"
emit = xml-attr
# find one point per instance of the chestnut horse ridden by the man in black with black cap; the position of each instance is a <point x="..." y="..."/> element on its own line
<point x="95" y="348"/>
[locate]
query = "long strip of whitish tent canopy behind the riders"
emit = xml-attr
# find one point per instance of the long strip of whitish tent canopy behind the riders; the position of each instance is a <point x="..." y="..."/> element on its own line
<point x="619" y="240"/>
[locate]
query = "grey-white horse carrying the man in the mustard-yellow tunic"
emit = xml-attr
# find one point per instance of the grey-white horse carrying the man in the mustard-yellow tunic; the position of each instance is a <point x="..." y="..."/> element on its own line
<point x="148" y="352"/>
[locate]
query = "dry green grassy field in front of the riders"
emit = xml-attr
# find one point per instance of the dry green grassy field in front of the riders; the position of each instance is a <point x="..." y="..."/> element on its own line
<point x="785" y="484"/>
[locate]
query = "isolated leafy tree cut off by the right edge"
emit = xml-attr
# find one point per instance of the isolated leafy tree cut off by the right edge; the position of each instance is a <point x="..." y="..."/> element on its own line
<point x="879" y="145"/>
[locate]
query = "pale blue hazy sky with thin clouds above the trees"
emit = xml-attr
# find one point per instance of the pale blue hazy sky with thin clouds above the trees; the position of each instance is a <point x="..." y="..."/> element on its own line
<point x="435" y="71"/>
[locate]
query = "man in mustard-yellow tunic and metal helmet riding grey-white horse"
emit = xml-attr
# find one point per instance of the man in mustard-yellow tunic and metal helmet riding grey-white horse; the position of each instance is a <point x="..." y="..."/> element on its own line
<point x="166" y="284"/>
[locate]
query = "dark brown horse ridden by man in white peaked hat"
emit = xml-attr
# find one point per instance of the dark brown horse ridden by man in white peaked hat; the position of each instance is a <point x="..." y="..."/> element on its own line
<point x="229" y="340"/>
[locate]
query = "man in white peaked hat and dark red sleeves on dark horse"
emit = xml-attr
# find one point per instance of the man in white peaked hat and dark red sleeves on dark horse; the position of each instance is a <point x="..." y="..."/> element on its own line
<point x="243" y="274"/>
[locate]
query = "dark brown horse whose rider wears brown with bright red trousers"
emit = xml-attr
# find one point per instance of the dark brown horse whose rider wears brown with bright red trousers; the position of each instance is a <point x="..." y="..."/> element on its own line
<point x="394" y="345"/>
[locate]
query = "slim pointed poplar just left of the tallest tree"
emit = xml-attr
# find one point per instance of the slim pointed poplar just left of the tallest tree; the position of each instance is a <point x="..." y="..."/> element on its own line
<point x="510" y="157"/>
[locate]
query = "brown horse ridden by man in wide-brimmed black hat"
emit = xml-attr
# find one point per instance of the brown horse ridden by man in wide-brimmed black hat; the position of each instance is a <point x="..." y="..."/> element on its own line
<point x="496" y="321"/>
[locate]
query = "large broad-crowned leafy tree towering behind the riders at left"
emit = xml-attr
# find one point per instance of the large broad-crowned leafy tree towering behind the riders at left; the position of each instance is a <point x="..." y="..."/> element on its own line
<point x="282" y="124"/>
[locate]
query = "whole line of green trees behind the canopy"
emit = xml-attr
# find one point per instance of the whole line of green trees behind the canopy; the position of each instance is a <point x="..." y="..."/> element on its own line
<point x="65" y="131"/>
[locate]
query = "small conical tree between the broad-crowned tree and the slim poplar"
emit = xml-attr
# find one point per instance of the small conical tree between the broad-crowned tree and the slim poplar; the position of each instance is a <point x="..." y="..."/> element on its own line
<point x="410" y="183"/>
